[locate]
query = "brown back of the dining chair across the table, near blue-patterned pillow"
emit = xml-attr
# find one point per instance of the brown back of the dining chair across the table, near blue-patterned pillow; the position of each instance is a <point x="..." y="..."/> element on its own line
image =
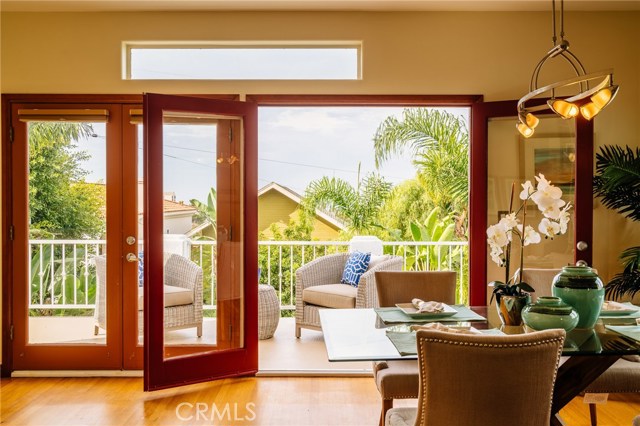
<point x="400" y="287"/>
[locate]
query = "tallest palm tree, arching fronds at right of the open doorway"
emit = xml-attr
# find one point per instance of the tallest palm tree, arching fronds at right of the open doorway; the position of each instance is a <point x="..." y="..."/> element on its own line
<point x="439" y="142"/>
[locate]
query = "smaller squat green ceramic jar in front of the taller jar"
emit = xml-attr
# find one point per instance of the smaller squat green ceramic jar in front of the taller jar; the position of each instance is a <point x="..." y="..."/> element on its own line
<point x="549" y="312"/>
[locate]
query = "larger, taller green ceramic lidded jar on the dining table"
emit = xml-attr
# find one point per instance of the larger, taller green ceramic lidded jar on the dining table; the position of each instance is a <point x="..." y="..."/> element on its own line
<point x="582" y="288"/>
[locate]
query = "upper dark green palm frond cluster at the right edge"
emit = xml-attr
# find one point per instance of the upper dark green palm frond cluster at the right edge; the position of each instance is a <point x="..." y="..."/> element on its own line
<point x="617" y="179"/>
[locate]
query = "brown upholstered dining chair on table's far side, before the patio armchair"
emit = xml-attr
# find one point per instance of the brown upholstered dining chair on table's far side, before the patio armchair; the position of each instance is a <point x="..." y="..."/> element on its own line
<point x="399" y="379"/>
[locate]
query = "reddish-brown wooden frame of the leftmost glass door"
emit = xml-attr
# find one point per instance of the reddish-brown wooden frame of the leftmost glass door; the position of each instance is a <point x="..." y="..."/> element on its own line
<point x="19" y="353"/>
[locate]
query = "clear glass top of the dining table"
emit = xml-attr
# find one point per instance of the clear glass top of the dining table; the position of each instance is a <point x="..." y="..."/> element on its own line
<point x="360" y="335"/>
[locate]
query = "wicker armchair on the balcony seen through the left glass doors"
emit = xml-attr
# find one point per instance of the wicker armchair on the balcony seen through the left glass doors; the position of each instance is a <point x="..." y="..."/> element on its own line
<point x="179" y="274"/>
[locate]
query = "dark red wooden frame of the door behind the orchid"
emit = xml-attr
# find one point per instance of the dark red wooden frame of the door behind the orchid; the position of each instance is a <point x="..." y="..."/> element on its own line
<point x="481" y="112"/>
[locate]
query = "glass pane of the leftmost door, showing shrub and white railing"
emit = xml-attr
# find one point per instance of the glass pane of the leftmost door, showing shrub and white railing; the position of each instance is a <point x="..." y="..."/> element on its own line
<point x="67" y="226"/>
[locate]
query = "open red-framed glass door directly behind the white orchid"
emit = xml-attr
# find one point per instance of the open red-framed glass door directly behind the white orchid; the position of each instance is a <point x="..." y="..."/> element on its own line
<point x="562" y="150"/>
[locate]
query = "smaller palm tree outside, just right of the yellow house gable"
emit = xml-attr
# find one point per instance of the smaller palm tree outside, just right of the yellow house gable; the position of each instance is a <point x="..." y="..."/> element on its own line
<point x="357" y="207"/>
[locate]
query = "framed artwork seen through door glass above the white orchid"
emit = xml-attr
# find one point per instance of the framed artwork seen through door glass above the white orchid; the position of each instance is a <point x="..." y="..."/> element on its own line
<point x="554" y="157"/>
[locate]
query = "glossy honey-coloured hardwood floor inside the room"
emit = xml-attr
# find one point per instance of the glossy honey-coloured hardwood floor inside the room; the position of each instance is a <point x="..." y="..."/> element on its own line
<point x="251" y="401"/>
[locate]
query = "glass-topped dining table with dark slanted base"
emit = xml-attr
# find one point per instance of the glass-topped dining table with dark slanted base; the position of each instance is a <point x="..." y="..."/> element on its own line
<point x="362" y="335"/>
